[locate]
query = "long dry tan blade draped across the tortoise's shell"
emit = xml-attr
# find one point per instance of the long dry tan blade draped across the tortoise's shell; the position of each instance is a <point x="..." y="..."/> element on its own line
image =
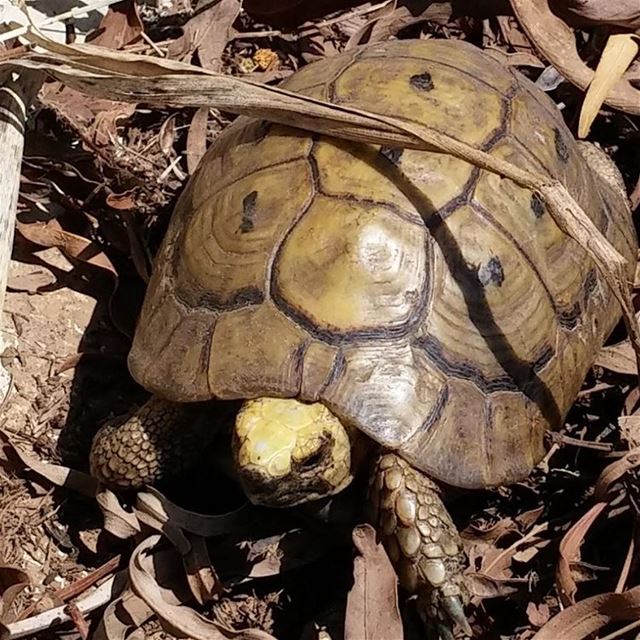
<point x="128" y="77"/>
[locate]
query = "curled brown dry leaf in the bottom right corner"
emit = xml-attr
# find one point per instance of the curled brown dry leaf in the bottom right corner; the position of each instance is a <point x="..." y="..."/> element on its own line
<point x="587" y="617"/>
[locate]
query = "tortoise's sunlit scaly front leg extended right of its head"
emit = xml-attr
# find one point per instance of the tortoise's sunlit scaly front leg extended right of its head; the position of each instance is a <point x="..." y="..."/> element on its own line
<point x="421" y="540"/>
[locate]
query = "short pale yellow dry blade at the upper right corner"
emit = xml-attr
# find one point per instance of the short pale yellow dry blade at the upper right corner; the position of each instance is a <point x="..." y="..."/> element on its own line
<point x="618" y="54"/>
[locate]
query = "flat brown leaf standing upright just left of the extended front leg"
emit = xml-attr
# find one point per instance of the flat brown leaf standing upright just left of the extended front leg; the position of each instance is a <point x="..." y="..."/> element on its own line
<point x="372" y="604"/>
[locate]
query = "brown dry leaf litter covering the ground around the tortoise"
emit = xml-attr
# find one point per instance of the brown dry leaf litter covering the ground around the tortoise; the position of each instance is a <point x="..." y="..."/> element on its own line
<point x="551" y="557"/>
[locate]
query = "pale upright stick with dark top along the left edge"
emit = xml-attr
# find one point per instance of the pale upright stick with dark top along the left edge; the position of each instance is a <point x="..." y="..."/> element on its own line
<point x="17" y="89"/>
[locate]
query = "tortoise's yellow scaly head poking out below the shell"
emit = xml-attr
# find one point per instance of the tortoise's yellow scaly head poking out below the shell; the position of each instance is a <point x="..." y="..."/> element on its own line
<point x="287" y="452"/>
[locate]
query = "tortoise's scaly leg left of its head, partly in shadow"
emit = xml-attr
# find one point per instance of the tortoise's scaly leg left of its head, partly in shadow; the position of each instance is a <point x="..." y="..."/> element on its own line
<point x="160" y="439"/>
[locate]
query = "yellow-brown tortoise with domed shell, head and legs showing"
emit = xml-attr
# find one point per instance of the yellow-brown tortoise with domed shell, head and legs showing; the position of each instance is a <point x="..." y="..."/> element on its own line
<point x="360" y="297"/>
